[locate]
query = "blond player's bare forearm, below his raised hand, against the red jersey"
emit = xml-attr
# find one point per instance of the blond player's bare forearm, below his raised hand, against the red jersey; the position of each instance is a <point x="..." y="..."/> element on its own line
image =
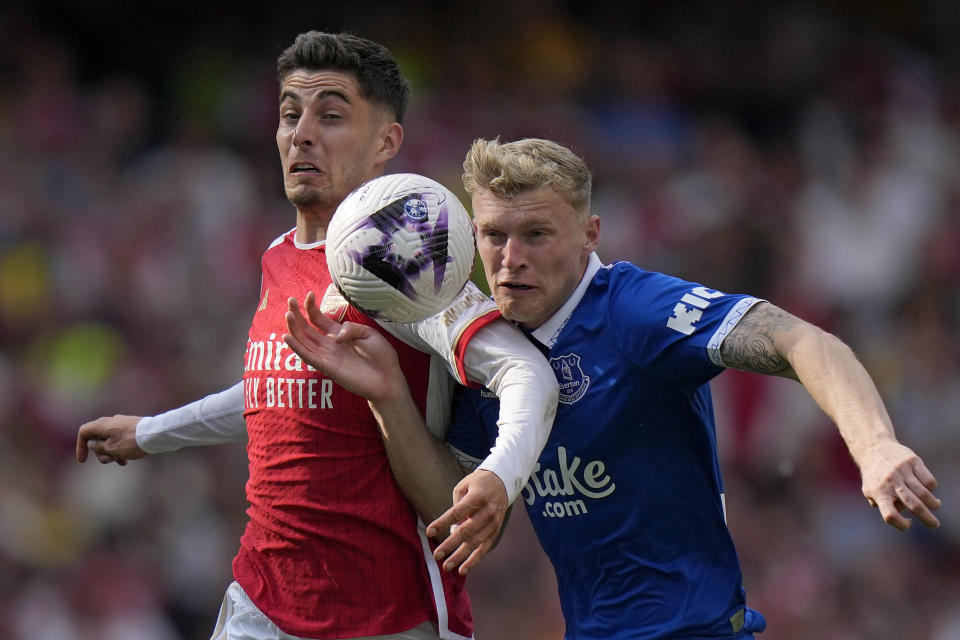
<point x="424" y="467"/>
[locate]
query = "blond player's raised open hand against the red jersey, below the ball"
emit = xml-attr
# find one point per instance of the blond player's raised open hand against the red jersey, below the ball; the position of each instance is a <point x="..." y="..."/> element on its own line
<point x="356" y="356"/>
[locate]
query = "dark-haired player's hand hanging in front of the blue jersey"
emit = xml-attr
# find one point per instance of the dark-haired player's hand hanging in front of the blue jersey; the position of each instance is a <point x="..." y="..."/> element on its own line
<point x="479" y="508"/>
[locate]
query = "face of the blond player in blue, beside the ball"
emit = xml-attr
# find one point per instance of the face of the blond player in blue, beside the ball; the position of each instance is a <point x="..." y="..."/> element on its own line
<point x="534" y="248"/>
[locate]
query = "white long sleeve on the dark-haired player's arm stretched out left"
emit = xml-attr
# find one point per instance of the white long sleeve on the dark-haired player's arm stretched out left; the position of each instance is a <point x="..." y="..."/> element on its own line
<point x="215" y="419"/>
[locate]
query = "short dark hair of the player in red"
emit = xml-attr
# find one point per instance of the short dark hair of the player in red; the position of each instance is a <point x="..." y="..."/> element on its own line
<point x="373" y="65"/>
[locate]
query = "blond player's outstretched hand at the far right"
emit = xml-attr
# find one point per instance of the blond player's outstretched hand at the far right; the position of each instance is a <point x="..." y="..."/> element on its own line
<point x="895" y="480"/>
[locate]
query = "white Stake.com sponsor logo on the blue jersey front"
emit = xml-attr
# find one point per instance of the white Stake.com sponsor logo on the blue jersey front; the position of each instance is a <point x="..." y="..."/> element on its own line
<point x="567" y="489"/>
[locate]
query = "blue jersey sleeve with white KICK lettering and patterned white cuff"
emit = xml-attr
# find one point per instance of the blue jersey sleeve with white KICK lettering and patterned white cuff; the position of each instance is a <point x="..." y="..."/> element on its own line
<point x="673" y="328"/>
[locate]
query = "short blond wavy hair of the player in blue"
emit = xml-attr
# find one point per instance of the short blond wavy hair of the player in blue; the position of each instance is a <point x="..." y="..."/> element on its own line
<point x="507" y="169"/>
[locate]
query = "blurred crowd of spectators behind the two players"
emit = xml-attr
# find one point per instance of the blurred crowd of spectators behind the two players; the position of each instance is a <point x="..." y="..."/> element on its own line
<point x="807" y="153"/>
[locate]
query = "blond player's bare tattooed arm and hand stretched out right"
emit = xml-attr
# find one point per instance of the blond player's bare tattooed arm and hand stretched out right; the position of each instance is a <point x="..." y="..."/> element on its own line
<point x="770" y="341"/>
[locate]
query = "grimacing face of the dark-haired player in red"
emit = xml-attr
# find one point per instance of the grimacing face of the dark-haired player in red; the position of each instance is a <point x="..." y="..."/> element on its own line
<point x="330" y="138"/>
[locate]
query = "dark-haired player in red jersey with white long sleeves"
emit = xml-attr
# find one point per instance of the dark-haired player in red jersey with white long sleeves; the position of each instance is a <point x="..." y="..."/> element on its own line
<point x="332" y="548"/>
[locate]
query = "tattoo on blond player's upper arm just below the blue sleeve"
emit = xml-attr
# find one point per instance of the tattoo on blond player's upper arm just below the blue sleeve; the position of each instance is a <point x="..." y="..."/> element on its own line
<point x="751" y="346"/>
